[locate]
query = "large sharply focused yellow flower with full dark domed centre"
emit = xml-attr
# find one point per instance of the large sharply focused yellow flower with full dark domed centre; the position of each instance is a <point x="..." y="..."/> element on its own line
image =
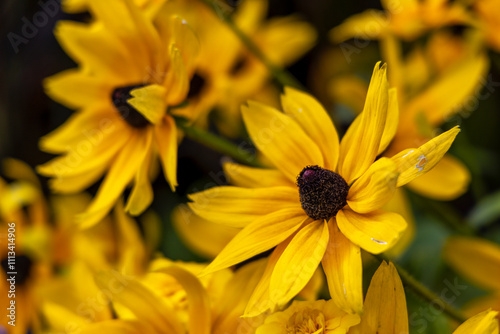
<point x="336" y="208"/>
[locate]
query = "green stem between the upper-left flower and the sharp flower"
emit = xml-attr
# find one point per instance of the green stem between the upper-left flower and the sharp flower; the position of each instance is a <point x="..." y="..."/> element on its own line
<point x="217" y="143"/>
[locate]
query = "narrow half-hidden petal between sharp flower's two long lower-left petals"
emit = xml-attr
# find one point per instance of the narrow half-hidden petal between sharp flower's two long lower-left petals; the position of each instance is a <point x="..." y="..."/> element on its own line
<point x="261" y="299"/>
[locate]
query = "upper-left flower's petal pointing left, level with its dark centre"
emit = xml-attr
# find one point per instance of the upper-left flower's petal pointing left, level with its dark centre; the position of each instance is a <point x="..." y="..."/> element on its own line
<point x="76" y="89"/>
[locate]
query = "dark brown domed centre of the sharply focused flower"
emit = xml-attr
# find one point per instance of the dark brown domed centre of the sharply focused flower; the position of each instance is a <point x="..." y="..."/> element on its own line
<point x="322" y="192"/>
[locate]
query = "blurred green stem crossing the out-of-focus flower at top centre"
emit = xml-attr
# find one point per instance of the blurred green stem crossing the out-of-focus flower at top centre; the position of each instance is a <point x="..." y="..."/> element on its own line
<point x="283" y="77"/>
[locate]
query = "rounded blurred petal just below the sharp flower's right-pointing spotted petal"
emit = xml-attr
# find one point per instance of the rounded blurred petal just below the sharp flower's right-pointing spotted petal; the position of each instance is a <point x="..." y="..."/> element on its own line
<point x="448" y="180"/>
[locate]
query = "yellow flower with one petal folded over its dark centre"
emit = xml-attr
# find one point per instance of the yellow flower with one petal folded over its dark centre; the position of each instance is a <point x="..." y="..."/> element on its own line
<point x="121" y="125"/>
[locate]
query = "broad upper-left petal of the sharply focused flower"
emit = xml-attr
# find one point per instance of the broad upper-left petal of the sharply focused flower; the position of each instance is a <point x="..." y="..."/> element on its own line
<point x="281" y="139"/>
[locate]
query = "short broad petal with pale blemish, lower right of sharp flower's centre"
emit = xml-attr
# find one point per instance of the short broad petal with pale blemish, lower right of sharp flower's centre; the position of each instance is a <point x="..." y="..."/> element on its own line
<point x="375" y="232"/>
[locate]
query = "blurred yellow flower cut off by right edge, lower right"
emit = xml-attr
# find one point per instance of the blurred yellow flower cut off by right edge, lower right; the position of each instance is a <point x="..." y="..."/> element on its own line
<point x="478" y="260"/>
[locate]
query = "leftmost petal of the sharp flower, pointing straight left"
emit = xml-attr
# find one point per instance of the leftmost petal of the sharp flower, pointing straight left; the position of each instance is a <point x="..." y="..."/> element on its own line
<point x="236" y="207"/>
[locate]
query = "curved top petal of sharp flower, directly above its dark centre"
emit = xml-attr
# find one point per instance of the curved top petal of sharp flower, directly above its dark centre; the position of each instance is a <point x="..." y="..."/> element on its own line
<point x="316" y="123"/>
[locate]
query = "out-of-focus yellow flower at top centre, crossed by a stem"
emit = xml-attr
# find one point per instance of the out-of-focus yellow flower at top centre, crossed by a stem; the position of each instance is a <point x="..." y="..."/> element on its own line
<point x="227" y="73"/>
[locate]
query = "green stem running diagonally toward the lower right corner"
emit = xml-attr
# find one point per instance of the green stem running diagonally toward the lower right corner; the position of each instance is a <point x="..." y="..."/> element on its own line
<point x="424" y="292"/>
